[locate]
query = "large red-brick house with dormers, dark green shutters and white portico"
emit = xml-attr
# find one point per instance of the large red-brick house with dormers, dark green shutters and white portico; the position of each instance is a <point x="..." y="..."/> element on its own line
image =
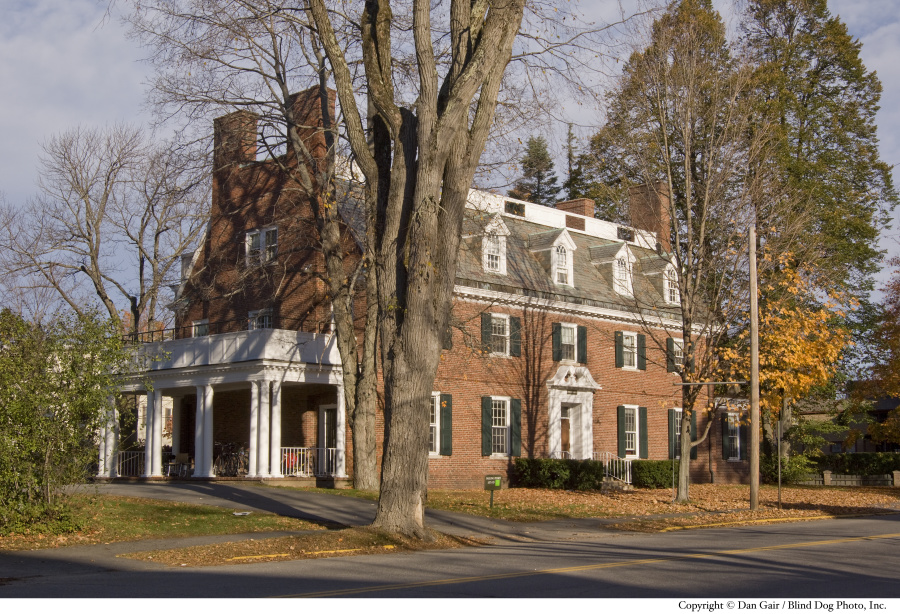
<point x="547" y="355"/>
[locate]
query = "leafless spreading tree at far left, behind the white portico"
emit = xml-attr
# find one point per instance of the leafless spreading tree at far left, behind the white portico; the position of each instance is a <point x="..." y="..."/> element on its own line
<point x="114" y="214"/>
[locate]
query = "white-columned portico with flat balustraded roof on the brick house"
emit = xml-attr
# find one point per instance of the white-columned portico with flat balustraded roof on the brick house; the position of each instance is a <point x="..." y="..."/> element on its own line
<point x="275" y="395"/>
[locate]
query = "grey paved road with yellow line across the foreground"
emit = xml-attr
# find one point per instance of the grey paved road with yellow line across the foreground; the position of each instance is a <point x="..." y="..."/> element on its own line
<point x="846" y="558"/>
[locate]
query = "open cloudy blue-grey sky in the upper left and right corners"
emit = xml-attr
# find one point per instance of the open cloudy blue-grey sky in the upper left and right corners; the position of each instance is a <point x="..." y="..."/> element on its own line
<point x="66" y="64"/>
